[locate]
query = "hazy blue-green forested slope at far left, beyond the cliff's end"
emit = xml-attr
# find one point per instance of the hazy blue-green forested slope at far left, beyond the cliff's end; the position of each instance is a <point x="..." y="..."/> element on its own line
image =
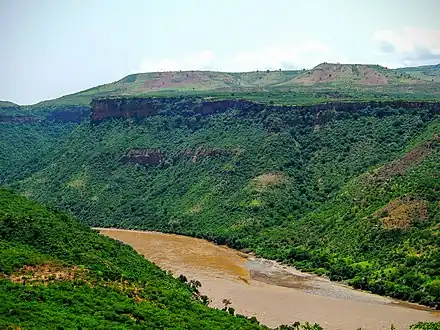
<point x="28" y="137"/>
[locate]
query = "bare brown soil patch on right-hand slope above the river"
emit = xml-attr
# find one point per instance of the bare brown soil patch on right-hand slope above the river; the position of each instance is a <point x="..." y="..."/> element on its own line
<point x="401" y="213"/>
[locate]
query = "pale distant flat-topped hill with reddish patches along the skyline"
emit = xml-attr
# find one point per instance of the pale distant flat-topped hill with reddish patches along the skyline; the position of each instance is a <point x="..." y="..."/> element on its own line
<point x="334" y="77"/>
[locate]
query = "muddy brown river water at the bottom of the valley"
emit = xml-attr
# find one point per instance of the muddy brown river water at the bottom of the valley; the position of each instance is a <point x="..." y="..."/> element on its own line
<point x="273" y="293"/>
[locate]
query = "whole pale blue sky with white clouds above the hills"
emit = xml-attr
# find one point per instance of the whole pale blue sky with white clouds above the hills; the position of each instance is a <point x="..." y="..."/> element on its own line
<point x="49" y="48"/>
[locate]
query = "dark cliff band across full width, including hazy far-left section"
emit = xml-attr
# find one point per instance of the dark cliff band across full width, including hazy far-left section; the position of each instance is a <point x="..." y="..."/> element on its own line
<point x="138" y="108"/>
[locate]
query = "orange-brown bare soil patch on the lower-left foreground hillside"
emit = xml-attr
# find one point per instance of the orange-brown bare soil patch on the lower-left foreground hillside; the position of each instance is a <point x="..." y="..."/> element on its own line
<point x="46" y="273"/>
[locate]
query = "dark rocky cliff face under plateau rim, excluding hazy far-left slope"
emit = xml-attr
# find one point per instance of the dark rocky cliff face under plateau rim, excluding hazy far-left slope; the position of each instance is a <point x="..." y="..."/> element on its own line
<point x="138" y="108"/>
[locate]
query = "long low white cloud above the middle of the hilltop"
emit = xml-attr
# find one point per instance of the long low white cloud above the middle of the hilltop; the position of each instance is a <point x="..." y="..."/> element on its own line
<point x="273" y="57"/>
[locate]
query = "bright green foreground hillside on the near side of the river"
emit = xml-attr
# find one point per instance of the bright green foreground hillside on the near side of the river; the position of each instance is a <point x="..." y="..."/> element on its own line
<point x="58" y="274"/>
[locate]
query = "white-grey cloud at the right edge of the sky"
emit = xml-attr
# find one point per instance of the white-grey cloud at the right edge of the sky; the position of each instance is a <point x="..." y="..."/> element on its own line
<point x="410" y="46"/>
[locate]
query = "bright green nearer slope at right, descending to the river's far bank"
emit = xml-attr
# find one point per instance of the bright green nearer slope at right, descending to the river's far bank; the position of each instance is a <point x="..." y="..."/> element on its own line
<point x="381" y="230"/>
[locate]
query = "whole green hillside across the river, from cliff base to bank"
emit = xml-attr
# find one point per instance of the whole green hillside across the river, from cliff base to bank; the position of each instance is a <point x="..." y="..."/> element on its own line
<point x="350" y="194"/>
